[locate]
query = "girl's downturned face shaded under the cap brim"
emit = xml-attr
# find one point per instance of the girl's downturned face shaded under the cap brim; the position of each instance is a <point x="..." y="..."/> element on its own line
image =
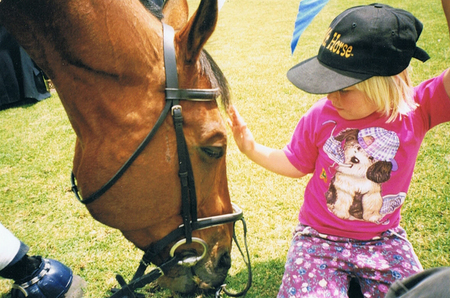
<point x="351" y="104"/>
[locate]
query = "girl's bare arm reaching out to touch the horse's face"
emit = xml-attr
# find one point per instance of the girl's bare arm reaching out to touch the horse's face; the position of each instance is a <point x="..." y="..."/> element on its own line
<point x="272" y="159"/>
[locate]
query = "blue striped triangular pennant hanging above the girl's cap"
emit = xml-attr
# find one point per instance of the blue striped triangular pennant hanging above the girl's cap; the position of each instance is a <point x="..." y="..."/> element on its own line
<point x="307" y="10"/>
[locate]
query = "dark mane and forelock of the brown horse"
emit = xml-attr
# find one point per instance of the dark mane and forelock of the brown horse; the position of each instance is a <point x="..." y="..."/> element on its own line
<point x="208" y="65"/>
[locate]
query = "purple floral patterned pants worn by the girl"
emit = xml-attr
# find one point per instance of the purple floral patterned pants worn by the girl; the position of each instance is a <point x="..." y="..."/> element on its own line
<point x="320" y="265"/>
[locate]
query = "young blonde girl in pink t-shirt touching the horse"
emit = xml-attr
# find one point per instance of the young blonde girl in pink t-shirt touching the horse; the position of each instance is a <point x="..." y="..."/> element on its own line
<point x="360" y="144"/>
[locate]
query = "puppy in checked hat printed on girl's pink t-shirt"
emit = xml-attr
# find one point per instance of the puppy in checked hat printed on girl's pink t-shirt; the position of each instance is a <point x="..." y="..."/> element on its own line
<point x="364" y="161"/>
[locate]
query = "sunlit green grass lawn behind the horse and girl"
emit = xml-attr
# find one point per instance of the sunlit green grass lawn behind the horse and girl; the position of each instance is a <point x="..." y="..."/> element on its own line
<point x="252" y="46"/>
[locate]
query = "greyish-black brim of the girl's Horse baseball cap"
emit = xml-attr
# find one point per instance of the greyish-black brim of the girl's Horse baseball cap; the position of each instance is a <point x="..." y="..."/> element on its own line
<point x="313" y="77"/>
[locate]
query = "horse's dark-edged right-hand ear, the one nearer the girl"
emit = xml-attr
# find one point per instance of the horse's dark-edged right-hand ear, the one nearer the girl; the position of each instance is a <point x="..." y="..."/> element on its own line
<point x="199" y="28"/>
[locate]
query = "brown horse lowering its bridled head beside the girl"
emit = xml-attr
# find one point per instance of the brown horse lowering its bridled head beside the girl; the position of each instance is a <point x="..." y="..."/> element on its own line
<point x="106" y="60"/>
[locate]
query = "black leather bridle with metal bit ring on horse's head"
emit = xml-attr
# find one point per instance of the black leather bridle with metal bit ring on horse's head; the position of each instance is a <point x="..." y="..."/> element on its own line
<point x="188" y="195"/>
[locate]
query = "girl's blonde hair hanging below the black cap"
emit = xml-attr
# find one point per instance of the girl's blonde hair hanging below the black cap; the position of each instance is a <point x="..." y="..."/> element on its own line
<point x="392" y="95"/>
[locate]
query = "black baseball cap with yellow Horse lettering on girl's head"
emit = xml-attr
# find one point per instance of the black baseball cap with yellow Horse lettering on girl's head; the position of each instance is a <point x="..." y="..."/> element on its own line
<point x="362" y="42"/>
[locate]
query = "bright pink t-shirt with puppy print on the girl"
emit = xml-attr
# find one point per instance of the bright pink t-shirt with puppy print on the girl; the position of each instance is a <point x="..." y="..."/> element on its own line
<point x="361" y="168"/>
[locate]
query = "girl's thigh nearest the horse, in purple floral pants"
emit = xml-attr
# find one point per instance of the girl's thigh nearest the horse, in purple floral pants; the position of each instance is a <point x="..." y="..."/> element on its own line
<point x="312" y="268"/>
